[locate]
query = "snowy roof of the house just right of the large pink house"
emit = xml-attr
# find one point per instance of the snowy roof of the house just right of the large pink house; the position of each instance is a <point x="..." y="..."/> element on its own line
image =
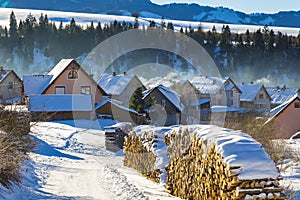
<point x="114" y="85"/>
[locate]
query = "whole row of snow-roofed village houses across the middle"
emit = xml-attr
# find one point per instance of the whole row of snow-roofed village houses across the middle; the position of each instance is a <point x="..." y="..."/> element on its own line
<point x="69" y="92"/>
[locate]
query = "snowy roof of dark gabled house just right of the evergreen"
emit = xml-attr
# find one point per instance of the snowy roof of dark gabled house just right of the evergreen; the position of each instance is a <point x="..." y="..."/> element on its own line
<point x="172" y="96"/>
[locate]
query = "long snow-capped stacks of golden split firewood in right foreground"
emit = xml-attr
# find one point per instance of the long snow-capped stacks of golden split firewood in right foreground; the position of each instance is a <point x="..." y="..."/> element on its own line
<point x="204" y="162"/>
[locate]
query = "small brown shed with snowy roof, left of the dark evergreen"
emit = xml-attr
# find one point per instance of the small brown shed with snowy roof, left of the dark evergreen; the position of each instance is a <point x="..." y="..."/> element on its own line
<point x="109" y="108"/>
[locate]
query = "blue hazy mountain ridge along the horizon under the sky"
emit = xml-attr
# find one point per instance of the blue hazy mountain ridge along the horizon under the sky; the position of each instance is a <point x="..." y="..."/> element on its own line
<point x="176" y="11"/>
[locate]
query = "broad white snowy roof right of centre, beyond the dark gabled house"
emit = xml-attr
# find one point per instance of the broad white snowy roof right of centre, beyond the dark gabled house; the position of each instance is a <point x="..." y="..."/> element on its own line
<point x="208" y="85"/>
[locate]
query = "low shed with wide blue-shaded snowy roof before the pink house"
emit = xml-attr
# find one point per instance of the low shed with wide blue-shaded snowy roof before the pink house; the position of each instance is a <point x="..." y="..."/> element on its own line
<point x="63" y="107"/>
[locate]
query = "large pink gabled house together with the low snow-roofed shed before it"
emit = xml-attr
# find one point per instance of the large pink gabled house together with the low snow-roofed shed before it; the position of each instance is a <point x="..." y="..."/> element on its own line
<point x="68" y="85"/>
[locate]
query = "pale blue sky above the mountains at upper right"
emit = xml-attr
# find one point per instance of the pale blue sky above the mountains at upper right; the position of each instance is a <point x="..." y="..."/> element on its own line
<point x="247" y="6"/>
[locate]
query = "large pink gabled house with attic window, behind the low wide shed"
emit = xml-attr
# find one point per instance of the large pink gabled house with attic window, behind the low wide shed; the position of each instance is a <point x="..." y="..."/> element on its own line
<point x="66" y="78"/>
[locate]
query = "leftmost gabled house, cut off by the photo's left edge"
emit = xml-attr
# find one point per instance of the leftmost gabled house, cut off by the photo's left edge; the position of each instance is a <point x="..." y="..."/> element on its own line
<point x="10" y="86"/>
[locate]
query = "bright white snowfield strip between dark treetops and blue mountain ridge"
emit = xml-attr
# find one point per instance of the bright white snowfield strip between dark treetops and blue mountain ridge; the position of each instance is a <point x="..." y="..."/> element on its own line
<point x="86" y="18"/>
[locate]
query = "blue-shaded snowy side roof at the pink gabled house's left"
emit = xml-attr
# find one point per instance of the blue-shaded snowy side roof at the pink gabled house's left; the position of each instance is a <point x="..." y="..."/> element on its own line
<point x="36" y="84"/>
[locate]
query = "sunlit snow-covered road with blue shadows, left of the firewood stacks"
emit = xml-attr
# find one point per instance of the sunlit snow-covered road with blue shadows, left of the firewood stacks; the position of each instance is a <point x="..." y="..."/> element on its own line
<point x="71" y="163"/>
